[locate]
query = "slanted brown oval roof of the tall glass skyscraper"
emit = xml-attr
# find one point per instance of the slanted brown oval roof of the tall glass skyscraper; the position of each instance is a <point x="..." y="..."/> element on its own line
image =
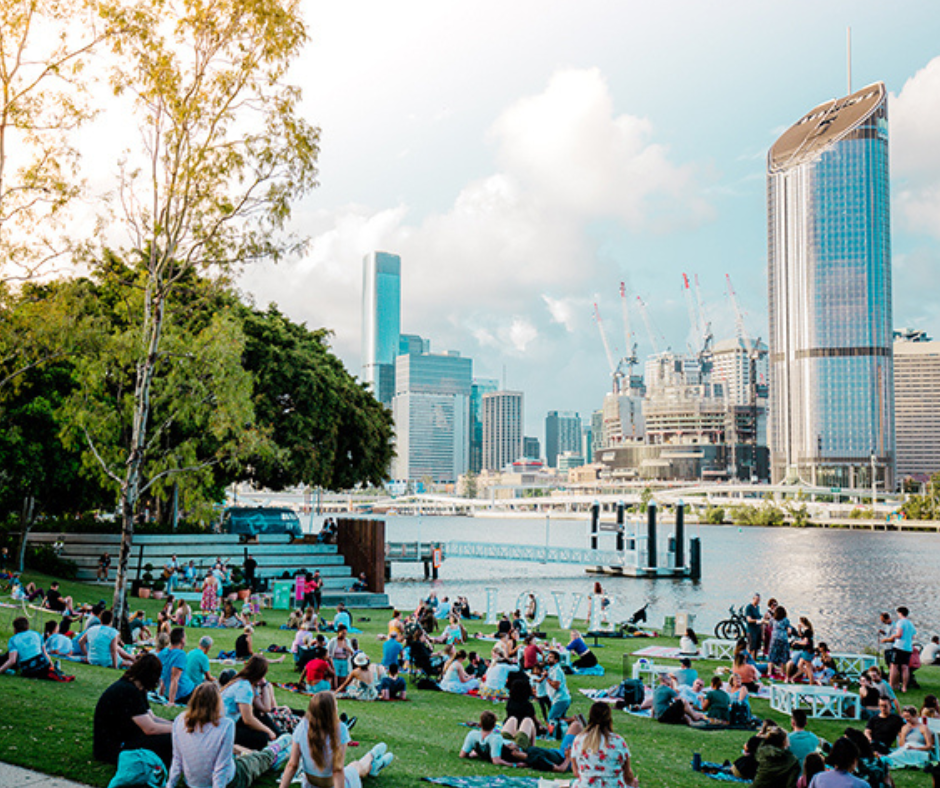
<point x="822" y="125"/>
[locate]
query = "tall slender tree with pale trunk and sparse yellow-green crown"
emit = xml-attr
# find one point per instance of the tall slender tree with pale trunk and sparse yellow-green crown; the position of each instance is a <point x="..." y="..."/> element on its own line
<point x="222" y="153"/>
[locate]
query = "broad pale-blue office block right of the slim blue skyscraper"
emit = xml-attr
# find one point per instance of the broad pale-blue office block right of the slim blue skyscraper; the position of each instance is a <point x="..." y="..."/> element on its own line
<point x="432" y="416"/>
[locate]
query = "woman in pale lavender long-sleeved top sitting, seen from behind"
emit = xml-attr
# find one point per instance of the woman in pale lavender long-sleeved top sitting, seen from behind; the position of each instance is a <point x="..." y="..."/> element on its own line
<point x="204" y="747"/>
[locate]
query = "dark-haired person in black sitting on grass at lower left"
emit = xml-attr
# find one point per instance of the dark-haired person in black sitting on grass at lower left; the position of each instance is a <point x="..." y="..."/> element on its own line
<point x="123" y="720"/>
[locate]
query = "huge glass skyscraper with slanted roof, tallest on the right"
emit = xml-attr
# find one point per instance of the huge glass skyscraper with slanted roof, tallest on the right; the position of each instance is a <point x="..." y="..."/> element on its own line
<point x="829" y="280"/>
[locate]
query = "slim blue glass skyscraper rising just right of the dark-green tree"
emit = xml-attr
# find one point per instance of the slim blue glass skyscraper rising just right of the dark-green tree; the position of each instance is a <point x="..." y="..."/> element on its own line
<point x="381" y="322"/>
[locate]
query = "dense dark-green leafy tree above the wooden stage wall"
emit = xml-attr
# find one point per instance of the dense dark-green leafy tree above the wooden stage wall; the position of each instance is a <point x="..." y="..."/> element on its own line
<point x="328" y="429"/>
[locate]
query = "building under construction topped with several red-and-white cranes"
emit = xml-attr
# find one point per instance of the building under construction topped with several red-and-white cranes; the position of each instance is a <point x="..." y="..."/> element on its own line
<point x="694" y="416"/>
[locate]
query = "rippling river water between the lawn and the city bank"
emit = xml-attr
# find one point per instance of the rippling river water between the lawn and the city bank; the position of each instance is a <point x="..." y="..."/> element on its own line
<point x="839" y="579"/>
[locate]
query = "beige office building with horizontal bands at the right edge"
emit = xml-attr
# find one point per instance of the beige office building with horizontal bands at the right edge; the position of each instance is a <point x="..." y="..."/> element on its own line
<point x="917" y="403"/>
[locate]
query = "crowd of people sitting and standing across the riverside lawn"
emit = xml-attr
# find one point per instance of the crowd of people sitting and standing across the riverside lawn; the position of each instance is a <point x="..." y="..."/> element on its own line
<point x="232" y="729"/>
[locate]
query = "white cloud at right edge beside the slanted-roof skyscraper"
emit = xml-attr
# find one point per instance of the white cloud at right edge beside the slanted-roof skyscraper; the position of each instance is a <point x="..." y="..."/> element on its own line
<point x="915" y="154"/>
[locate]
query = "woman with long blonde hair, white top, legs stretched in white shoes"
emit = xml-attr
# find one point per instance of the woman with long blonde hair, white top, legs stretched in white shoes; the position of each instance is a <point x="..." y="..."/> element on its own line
<point x="319" y="749"/>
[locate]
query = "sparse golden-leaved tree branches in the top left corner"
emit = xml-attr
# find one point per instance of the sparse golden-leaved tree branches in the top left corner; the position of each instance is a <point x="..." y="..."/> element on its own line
<point x="45" y="46"/>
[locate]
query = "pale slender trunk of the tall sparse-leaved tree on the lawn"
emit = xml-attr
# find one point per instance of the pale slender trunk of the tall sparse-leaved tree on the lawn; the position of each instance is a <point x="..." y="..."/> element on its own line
<point x="130" y="488"/>
